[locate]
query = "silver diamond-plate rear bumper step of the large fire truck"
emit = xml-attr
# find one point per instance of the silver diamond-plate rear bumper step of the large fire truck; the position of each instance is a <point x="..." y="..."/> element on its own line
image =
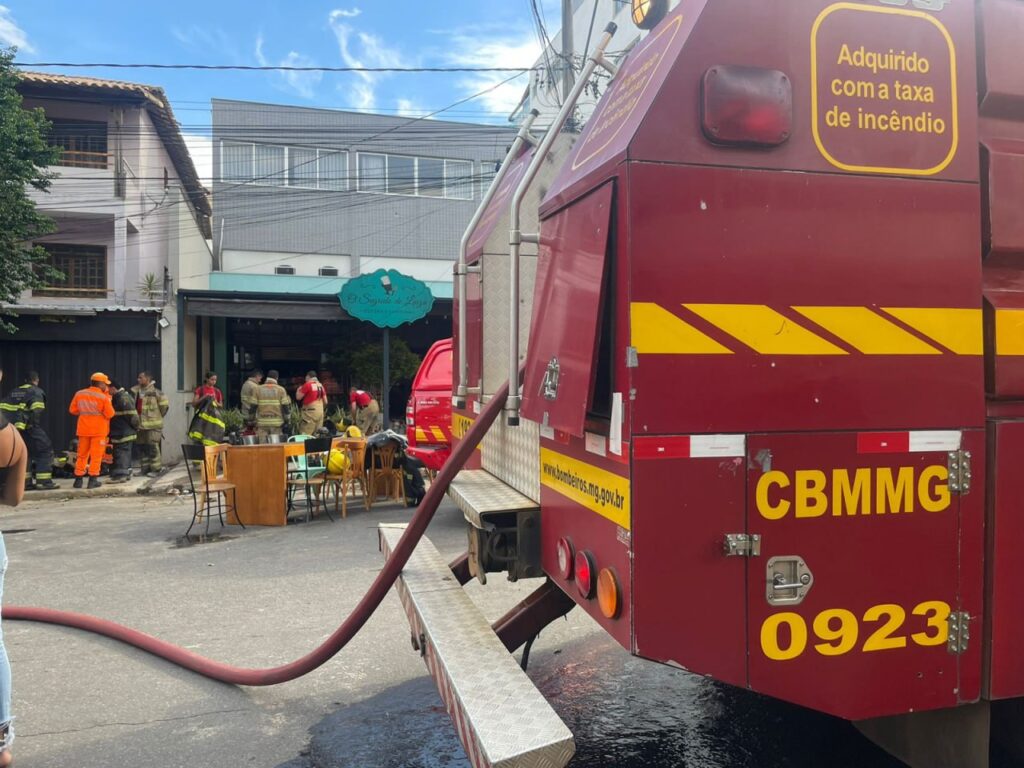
<point x="502" y="719"/>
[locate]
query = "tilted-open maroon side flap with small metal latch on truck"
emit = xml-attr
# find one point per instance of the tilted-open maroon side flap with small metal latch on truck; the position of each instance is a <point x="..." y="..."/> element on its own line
<point x="568" y="309"/>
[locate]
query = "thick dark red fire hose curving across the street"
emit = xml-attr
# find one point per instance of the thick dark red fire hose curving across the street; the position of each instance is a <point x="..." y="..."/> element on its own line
<point x="346" y="632"/>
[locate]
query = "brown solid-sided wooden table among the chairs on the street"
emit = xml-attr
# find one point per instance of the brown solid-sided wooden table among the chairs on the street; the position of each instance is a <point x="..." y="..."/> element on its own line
<point x="261" y="478"/>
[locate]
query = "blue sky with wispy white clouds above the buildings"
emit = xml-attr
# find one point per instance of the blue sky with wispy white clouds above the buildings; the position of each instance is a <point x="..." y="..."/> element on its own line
<point x="354" y="33"/>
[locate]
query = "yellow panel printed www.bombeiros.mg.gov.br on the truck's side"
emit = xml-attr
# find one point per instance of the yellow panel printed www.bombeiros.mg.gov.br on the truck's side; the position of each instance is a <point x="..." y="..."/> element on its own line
<point x="590" y="487"/>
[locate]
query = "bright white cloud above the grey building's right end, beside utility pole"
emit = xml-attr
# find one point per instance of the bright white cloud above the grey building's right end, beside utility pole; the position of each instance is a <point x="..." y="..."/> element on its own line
<point x="475" y="49"/>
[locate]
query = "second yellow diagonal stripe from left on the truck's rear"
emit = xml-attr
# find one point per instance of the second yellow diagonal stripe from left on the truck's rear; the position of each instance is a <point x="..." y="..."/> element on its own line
<point x="764" y="330"/>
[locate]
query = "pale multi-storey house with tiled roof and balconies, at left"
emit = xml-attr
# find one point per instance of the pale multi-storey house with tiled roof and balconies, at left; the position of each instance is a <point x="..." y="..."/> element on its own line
<point x="133" y="228"/>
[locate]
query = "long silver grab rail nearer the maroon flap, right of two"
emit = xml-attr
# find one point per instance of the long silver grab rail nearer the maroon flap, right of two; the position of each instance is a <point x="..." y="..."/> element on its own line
<point x="518" y="238"/>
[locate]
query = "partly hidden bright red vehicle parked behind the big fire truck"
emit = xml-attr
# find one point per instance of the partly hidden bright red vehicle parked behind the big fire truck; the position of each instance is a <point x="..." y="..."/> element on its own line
<point x="429" y="415"/>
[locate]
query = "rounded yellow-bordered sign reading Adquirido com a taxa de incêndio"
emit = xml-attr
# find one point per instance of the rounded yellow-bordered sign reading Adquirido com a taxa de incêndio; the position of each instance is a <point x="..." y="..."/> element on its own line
<point x="884" y="91"/>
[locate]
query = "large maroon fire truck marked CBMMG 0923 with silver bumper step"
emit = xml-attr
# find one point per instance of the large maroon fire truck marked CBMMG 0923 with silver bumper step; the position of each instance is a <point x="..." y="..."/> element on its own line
<point x="763" y="329"/>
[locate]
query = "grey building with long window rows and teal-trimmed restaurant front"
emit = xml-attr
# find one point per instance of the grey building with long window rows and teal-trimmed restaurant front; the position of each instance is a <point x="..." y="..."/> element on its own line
<point x="308" y="199"/>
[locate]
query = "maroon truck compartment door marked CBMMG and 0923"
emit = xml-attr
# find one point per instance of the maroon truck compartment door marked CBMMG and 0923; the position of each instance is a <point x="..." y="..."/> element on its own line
<point x="851" y="602"/>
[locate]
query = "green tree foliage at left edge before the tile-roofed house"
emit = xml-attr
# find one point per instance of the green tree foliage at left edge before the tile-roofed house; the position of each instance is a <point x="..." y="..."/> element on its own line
<point x="25" y="156"/>
